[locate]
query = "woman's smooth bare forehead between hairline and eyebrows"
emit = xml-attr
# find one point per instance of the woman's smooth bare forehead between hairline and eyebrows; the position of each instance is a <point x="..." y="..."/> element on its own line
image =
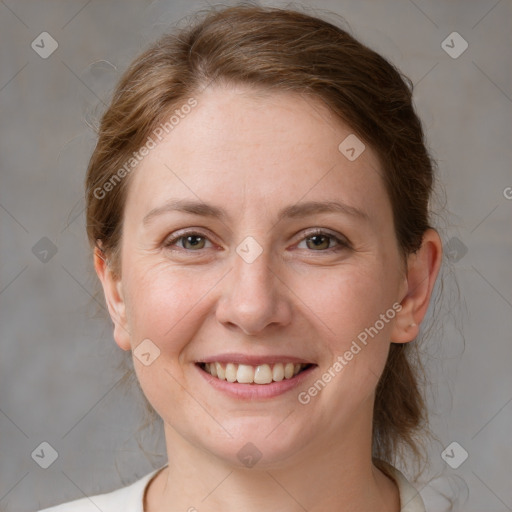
<point x="257" y="149"/>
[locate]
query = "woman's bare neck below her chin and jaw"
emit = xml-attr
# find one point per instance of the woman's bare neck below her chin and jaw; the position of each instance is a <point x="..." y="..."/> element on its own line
<point x="330" y="475"/>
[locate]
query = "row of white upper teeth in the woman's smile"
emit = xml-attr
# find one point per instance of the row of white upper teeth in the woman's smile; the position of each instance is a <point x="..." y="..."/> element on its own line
<point x="246" y="374"/>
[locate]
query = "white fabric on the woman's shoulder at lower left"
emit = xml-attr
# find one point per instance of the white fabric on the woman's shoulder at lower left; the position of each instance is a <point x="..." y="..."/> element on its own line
<point x="128" y="499"/>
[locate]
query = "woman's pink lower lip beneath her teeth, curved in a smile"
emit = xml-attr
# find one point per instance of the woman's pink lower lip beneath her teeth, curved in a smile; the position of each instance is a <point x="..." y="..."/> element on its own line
<point x="255" y="391"/>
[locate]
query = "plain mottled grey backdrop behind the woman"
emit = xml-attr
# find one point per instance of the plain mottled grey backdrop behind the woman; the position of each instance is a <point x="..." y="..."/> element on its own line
<point x="58" y="377"/>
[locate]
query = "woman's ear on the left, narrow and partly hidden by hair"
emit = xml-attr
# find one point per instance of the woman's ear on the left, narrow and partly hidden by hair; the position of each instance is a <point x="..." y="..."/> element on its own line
<point x="114" y="298"/>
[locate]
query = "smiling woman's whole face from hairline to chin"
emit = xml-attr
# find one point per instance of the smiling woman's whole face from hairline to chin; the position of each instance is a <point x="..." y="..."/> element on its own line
<point x="250" y="240"/>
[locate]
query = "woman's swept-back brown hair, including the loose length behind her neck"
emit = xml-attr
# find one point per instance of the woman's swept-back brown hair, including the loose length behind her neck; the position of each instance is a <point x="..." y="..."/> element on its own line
<point x="283" y="50"/>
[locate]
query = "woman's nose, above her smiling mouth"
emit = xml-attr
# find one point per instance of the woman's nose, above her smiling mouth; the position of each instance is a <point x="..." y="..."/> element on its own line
<point x="254" y="296"/>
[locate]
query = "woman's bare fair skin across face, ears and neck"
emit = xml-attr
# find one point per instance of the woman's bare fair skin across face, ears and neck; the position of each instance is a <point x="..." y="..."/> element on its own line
<point x="253" y="154"/>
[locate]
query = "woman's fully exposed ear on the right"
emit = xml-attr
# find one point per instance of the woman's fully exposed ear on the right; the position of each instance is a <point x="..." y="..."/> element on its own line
<point x="422" y="270"/>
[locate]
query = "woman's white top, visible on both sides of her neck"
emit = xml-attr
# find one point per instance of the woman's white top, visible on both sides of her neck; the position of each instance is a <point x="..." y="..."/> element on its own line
<point x="131" y="497"/>
